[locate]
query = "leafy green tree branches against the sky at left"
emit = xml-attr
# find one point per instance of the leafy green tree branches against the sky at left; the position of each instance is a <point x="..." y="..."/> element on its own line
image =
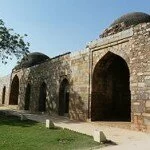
<point x="11" y="44"/>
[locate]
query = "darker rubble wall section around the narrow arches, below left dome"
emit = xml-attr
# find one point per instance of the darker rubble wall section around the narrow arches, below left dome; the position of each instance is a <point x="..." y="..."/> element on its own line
<point x="50" y="72"/>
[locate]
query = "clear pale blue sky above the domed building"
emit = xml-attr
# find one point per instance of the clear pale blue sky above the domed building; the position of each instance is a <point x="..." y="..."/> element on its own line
<point x="58" y="26"/>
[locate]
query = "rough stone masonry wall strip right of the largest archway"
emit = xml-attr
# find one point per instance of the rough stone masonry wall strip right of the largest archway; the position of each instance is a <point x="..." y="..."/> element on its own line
<point x="140" y="76"/>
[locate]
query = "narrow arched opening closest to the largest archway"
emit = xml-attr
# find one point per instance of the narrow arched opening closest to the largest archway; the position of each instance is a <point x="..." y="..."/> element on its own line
<point x="64" y="98"/>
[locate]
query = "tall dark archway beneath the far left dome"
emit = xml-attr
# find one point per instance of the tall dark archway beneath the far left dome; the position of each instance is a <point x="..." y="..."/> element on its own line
<point x="13" y="100"/>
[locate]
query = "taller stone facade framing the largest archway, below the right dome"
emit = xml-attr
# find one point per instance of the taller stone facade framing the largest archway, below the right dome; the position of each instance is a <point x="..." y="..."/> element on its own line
<point x="133" y="45"/>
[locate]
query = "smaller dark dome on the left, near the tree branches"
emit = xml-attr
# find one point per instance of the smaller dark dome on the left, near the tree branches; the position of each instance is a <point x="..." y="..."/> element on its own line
<point x="32" y="59"/>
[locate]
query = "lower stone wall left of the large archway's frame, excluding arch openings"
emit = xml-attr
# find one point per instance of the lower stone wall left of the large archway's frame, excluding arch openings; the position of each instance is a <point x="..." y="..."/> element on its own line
<point x="73" y="67"/>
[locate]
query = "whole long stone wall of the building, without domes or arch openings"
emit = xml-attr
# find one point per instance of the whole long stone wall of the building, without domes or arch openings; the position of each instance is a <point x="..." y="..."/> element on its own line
<point x="131" y="45"/>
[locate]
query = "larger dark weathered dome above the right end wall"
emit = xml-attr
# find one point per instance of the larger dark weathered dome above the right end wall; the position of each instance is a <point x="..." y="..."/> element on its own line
<point x="133" y="18"/>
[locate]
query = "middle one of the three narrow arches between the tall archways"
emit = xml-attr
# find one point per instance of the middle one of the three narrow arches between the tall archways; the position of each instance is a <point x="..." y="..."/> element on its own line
<point x="42" y="97"/>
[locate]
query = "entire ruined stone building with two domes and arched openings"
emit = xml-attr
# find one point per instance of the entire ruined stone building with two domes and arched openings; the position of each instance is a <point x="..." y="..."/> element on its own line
<point x="109" y="80"/>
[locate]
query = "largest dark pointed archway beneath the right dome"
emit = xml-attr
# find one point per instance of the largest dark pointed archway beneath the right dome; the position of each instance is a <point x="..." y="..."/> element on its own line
<point x="111" y="99"/>
